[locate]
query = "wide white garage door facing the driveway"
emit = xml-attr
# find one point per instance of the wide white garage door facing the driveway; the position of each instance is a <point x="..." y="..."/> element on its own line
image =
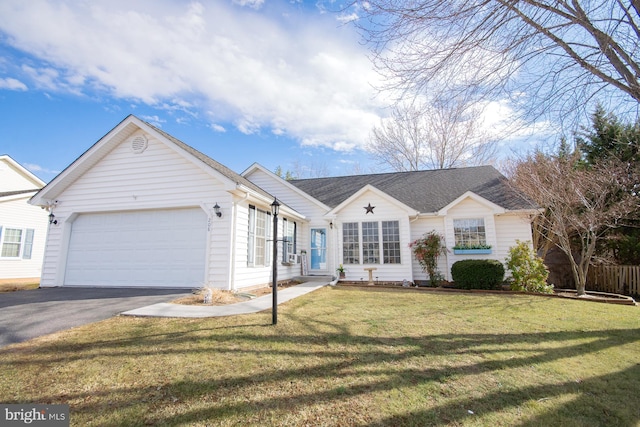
<point x="163" y="248"/>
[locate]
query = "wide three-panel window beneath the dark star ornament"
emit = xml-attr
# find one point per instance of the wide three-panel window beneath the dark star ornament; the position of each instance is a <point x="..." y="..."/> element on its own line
<point x="385" y="234"/>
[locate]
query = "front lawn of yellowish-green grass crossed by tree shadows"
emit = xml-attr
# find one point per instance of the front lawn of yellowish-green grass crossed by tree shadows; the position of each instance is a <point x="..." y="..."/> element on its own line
<point x="346" y="357"/>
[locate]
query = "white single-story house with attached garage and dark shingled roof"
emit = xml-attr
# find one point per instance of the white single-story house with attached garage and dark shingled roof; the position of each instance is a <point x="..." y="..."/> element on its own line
<point x="141" y="208"/>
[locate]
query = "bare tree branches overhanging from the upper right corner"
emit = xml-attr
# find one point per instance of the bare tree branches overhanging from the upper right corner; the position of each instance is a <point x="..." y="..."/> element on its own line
<point x="554" y="57"/>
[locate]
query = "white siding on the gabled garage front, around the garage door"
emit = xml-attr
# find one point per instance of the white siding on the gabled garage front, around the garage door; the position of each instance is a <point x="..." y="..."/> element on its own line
<point x="158" y="178"/>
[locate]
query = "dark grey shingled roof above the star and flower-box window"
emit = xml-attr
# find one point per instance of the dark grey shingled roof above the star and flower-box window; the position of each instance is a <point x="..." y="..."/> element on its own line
<point x="424" y="191"/>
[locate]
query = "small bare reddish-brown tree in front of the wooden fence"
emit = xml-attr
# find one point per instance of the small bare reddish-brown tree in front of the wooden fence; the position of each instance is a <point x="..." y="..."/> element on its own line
<point x="580" y="203"/>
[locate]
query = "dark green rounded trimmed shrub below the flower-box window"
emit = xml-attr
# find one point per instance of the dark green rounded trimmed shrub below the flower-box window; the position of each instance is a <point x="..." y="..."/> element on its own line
<point x="478" y="273"/>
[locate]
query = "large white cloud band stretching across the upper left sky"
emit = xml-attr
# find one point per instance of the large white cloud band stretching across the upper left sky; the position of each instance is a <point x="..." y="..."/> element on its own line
<point x="295" y="74"/>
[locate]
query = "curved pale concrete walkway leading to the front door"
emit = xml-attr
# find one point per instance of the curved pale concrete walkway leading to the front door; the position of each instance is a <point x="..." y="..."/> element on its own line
<point x="264" y="302"/>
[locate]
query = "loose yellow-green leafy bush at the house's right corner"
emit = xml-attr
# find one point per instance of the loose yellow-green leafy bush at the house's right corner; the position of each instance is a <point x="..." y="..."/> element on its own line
<point x="528" y="272"/>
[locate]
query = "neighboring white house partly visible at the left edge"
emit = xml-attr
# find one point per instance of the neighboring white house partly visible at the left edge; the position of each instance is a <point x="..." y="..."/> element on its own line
<point x="23" y="227"/>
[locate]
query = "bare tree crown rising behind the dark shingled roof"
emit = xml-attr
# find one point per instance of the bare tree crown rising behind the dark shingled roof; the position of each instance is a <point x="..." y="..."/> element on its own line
<point x="443" y="134"/>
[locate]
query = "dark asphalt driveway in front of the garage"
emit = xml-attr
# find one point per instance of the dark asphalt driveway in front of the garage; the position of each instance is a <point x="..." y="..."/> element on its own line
<point x="32" y="313"/>
